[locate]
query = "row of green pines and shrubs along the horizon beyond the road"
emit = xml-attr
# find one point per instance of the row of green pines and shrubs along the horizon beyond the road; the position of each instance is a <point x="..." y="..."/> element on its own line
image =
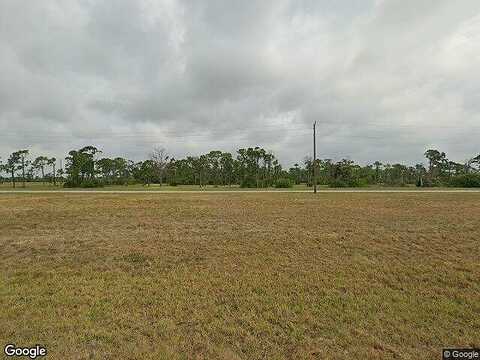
<point x="248" y="167"/>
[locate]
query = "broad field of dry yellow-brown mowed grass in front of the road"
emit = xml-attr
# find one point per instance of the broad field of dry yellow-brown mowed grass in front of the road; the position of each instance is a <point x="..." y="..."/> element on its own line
<point x="240" y="276"/>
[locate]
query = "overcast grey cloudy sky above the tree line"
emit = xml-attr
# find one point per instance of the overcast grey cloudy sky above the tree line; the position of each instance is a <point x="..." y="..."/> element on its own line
<point x="384" y="79"/>
